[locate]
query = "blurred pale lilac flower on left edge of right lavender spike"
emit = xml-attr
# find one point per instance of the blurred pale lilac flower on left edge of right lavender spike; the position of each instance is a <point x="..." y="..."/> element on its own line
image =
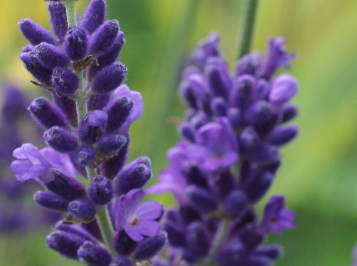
<point x="171" y="179"/>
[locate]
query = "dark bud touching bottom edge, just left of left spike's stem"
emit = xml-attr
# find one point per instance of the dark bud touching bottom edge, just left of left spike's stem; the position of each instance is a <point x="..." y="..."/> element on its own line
<point x="93" y="255"/>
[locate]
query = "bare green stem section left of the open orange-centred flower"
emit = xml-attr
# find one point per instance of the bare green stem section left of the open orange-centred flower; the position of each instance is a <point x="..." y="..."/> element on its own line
<point x="106" y="228"/>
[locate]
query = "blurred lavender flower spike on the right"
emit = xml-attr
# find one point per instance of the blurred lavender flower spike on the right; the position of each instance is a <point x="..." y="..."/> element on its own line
<point x="228" y="158"/>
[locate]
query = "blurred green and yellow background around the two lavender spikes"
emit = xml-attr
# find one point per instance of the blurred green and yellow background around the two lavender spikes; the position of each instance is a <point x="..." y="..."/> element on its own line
<point x="319" y="174"/>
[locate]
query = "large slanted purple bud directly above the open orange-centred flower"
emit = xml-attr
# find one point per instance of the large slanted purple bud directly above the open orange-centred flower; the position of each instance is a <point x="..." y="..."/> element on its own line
<point x="134" y="175"/>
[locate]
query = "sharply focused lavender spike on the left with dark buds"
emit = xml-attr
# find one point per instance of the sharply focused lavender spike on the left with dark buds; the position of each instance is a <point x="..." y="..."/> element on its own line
<point x="87" y="134"/>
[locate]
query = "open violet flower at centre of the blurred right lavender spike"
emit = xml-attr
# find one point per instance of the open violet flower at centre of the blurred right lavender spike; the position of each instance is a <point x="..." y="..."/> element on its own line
<point x="216" y="146"/>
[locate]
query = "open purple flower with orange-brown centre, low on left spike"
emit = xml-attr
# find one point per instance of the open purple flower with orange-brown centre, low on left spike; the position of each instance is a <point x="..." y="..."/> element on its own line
<point x="137" y="220"/>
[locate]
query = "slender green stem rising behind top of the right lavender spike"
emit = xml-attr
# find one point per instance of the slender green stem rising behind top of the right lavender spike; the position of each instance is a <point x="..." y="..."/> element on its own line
<point x="247" y="27"/>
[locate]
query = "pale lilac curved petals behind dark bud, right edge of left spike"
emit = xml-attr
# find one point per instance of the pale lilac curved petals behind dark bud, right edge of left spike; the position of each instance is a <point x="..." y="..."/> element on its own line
<point x="138" y="107"/>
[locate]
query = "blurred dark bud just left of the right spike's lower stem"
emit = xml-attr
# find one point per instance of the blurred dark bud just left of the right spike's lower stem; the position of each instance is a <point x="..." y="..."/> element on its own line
<point x="198" y="239"/>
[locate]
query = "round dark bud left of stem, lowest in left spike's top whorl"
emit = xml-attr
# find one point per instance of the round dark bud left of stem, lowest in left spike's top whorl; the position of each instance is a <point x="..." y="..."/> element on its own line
<point x="64" y="81"/>
